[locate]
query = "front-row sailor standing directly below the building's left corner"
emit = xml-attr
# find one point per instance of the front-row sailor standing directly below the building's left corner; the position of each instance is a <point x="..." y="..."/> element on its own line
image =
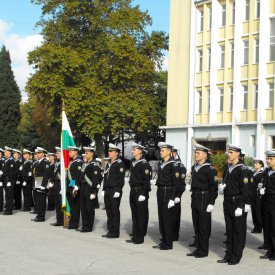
<point x="166" y="193"/>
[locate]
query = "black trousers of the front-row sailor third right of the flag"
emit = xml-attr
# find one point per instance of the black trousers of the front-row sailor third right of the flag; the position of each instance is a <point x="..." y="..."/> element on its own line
<point x="113" y="213"/>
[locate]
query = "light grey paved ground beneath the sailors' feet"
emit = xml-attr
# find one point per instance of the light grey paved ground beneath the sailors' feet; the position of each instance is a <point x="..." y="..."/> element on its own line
<point x="38" y="248"/>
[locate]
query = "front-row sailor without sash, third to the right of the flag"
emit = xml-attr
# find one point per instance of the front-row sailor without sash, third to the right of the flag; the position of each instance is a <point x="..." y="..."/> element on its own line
<point x="112" y="191"/>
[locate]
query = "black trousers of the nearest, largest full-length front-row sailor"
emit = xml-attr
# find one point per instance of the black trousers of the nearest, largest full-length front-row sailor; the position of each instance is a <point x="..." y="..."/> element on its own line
<point x="235" y="229"/>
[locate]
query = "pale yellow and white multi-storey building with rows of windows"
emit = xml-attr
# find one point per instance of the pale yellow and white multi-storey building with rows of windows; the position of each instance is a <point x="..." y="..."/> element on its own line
<point x="221" y="75"/>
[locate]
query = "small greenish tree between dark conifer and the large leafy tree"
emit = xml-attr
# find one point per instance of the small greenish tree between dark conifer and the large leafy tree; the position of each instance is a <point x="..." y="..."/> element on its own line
<point x="29" y="138"/>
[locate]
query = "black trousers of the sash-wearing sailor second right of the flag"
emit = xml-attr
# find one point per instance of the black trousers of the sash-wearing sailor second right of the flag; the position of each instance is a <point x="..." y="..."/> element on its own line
<point x="87" y="208"/>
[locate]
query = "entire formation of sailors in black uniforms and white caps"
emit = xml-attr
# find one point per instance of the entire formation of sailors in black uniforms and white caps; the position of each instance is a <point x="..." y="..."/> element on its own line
<point x="33" y="178"/>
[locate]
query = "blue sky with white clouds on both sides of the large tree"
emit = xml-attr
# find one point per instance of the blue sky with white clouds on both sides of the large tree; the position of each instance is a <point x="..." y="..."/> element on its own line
<point x="19" y="35"/>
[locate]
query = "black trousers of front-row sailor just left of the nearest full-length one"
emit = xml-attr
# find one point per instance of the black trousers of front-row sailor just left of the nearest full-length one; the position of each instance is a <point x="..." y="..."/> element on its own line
<point x="201" y="222"/>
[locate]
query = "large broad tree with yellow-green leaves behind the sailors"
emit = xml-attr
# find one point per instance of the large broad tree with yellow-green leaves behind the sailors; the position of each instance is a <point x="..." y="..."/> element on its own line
<point x="97" y="58"/>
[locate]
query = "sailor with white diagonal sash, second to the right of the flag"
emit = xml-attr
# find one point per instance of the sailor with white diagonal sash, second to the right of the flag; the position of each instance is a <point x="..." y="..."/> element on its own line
<point x="91" y="176"/>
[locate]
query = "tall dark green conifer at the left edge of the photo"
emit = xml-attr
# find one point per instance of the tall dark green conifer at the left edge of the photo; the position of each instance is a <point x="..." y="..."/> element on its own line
<point x="10" y="98"/>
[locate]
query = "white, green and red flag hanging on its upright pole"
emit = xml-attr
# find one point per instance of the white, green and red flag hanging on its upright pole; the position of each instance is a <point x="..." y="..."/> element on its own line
<point x="66" y="140"/>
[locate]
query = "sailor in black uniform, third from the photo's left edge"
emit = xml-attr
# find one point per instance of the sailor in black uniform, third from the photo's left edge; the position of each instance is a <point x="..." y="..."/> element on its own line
<point x="18" y="182"/>
